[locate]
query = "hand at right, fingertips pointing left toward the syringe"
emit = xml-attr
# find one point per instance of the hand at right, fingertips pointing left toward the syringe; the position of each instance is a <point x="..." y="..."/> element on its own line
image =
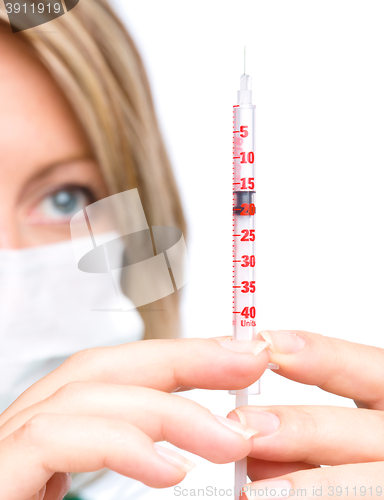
<point x="295" y="439"/>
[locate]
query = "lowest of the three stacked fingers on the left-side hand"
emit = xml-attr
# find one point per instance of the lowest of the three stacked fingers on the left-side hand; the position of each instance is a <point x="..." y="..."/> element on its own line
<point x="50" y="443"/>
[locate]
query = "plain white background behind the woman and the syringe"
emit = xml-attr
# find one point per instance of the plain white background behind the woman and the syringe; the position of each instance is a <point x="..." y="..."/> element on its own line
<point x="318" y="80"/>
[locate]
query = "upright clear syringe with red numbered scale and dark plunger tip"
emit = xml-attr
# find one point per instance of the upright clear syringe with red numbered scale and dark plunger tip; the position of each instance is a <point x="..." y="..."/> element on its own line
<point x="243" y="245"/>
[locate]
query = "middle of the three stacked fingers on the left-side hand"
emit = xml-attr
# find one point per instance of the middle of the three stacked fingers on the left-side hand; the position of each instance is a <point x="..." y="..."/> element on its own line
<point x="162" y="416"/>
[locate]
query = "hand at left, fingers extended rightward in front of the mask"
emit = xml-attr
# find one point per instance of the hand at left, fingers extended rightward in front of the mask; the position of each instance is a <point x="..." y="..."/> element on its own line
<point x="105" y="407"/>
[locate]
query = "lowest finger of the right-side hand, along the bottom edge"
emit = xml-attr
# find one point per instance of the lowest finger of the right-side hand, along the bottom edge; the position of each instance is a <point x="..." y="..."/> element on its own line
<point x="342" y="482"/>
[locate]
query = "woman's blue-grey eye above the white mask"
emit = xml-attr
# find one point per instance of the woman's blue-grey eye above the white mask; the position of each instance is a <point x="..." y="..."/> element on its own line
<point x="60" y="206"/>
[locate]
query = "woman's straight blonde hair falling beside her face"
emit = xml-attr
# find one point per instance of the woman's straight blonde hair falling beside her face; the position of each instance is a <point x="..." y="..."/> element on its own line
<point x="95" y="62"/>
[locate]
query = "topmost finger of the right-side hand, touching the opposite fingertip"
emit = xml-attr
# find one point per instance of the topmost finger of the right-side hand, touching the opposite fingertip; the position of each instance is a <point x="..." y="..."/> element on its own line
<point x="348" y="369"/>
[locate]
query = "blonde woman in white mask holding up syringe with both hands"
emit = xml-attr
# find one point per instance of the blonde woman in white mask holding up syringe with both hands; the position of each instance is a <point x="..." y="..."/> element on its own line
<point x="77" y="125"/>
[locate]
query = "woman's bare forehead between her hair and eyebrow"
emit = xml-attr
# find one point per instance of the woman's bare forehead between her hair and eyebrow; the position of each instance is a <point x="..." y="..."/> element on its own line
<point x="37" y="126"/>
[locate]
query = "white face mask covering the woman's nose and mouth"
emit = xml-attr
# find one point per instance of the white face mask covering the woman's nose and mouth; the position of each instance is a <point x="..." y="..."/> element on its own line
<point x="49" y="309"/>
